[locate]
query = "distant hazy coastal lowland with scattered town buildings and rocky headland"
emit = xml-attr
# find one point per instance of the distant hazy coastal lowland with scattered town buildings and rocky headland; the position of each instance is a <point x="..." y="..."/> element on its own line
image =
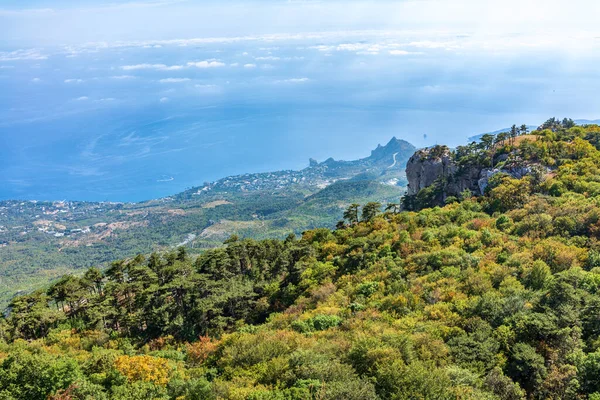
<point x="40" y="241"/>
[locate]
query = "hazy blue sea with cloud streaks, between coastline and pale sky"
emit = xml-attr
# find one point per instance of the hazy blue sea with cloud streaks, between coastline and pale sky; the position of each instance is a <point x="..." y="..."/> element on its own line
<point x="146" y="119"/>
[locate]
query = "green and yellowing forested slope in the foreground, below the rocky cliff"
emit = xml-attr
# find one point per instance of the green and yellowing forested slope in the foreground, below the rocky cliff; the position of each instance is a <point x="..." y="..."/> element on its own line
<point x="487" y="297"/>
